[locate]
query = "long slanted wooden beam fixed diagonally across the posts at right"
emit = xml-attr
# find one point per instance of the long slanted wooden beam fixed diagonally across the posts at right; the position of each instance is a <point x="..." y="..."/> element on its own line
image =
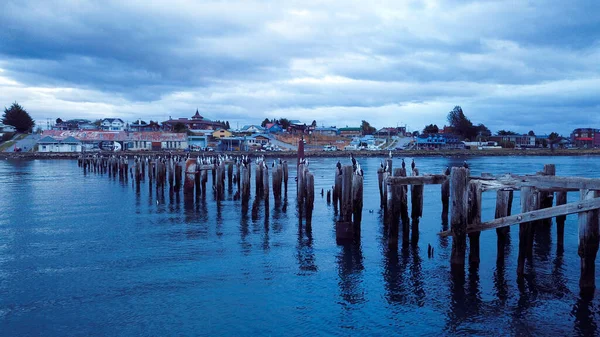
<point x="575" y="207"/>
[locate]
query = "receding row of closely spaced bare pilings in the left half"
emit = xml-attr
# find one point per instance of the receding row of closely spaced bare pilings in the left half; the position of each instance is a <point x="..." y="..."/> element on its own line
<point x="189" y="175"/>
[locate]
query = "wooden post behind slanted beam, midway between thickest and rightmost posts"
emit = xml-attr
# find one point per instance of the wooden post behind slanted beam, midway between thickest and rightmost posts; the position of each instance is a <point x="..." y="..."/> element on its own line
<point x="529" y="202"/>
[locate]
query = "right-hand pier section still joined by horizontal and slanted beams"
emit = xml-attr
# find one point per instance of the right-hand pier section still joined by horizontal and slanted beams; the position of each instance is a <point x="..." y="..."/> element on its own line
<point x="537" y="193"/>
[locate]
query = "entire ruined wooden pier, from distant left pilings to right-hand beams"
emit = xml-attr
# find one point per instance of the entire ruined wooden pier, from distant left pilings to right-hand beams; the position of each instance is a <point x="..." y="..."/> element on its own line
<point x="542" y="195"/>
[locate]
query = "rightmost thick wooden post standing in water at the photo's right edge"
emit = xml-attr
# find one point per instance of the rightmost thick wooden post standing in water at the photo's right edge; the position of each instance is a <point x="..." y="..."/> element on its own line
<point x="588" y="243"/>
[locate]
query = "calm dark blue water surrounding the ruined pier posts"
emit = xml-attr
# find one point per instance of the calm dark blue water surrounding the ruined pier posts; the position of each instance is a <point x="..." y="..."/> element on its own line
<point x="89" y="255"/>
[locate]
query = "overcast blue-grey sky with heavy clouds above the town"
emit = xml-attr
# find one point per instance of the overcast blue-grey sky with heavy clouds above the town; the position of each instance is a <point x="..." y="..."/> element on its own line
<point x="515" y="65"/>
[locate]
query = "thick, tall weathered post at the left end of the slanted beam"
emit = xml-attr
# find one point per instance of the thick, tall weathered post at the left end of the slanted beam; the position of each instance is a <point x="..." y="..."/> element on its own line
<point x="459" y="179"/>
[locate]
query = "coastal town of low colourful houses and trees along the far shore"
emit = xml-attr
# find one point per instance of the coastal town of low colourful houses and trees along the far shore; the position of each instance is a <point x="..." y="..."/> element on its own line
<point x="198" y="133"/>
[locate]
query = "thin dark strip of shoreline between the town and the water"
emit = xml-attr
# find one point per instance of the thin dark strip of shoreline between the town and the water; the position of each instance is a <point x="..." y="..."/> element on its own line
<point x="318" y="154"/>
